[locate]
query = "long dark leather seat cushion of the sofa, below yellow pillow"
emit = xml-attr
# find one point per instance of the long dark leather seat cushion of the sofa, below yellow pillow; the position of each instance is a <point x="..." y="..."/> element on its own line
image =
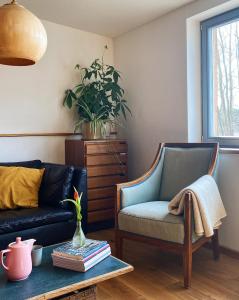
<point x="21" y="219"/>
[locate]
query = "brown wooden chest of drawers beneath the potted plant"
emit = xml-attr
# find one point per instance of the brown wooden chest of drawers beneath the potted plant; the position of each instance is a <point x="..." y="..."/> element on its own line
<point x="106" y="163"/>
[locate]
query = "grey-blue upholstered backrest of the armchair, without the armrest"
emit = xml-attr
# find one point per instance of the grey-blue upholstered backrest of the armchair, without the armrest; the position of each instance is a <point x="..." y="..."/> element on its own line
<point x="183" y="164"/>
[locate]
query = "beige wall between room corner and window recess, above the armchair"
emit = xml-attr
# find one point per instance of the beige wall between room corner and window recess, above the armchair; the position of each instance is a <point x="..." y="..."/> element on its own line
<point x="153" y="60"/>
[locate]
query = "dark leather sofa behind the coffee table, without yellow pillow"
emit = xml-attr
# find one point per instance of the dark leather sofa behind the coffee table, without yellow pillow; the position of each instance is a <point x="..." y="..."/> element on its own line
<point x="52" y="222"/>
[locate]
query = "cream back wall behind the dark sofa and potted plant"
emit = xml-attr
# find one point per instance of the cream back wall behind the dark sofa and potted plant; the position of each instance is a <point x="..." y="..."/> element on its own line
<point x="31" y="97"/>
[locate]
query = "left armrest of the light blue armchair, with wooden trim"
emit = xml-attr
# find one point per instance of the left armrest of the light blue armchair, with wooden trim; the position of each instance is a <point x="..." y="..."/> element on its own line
<point x="144" y="189"/>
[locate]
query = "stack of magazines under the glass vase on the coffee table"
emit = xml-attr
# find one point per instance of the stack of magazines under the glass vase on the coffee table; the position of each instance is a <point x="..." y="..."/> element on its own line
<point x="83" y="258"/>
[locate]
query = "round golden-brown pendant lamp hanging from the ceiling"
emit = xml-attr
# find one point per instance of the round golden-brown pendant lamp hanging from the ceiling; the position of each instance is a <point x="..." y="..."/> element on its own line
<point x="23" y="38"/>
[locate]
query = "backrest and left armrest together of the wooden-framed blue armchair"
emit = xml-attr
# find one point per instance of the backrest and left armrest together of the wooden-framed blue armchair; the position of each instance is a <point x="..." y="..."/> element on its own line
<point x="175" y="167"/>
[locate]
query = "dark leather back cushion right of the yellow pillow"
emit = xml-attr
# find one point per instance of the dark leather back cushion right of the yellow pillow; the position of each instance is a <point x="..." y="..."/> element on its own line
<point x="56" y="184"/>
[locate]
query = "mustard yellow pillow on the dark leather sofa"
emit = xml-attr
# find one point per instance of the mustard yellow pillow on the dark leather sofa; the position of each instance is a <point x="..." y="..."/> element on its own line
<point x="19" y="187"/>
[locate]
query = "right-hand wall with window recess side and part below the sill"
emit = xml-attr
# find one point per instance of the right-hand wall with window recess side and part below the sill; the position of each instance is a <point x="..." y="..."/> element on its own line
<point x="153" y="60"/>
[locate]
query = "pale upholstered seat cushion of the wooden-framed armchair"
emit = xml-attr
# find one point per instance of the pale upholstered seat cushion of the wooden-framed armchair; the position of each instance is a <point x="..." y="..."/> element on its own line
<point x="152" y="219"/>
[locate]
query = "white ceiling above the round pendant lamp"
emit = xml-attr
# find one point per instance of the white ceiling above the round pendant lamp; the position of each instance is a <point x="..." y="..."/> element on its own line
<point x="106" y="17"/>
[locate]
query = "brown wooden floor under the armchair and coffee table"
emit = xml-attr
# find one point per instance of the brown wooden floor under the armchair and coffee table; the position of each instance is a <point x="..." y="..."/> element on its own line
<point x="158" y="275"/>
